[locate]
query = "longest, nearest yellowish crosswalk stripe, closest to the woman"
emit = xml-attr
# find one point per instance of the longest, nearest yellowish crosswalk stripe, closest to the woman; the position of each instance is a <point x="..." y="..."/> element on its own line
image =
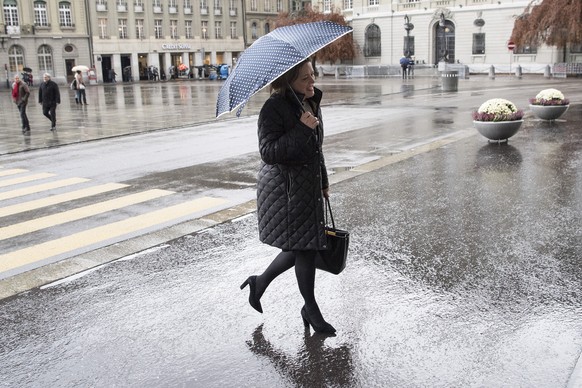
<point x="103" y="233"/>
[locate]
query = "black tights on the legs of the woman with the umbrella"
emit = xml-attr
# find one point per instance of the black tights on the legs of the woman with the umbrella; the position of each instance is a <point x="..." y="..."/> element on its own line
<point x="304" y="262"/>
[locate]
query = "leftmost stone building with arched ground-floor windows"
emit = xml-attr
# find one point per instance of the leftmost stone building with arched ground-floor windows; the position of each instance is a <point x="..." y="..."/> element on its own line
<point x="45" y="36"/>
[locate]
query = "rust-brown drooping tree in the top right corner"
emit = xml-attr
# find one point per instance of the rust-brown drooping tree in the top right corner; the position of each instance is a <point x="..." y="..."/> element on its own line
<point x="551" y="22"/>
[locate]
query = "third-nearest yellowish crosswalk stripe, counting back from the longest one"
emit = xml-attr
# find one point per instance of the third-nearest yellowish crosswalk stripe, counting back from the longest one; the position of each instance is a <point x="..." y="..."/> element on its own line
<point x="59" y="198"/>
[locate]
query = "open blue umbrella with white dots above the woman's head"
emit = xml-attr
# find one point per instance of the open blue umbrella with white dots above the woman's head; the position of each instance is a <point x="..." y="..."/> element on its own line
<point x="270" y="57"/>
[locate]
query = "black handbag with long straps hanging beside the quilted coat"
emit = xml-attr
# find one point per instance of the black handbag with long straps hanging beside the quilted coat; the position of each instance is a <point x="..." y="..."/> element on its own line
<point x="333" y="259"/>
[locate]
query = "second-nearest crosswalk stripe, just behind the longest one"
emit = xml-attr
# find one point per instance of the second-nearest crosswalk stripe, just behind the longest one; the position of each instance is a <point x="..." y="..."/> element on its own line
<point x="79" y="213"/>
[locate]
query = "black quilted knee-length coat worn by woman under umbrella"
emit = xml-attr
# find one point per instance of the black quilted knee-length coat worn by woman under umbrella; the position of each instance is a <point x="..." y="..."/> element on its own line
<point x="290" y="181"/>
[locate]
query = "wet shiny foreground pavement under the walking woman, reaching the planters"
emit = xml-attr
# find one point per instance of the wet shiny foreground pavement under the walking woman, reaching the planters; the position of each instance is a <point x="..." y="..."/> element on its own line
<point x="463" y="271"/>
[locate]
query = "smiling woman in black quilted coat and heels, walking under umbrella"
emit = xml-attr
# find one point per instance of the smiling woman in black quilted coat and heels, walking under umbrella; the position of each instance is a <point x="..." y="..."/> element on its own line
<point x="291" y="185"/>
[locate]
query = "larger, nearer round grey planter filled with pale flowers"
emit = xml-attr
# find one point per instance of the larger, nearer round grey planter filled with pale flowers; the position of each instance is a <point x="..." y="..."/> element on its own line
<point x="498" y="119"/>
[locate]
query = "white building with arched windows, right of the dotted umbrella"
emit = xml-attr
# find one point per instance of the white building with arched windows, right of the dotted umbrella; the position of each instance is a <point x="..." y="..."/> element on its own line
<point x="475" y="33"/>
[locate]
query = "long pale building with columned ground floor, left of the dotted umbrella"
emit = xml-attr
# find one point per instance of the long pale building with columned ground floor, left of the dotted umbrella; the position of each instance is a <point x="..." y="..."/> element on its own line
<point x="130" y="37"/>
